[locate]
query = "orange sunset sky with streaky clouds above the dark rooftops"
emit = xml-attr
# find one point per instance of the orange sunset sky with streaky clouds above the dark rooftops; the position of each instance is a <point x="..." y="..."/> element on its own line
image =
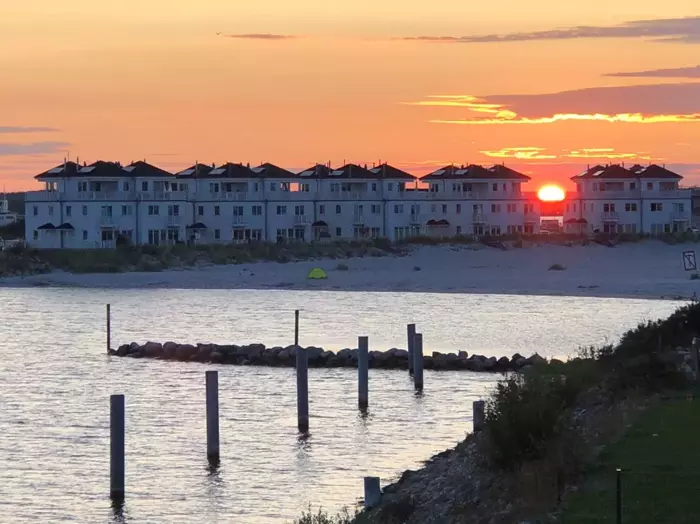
<point x="544" y="86"/>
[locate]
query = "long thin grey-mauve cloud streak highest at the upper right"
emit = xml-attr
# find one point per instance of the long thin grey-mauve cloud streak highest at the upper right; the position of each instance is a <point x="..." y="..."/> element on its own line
<point x="679" y="30"/>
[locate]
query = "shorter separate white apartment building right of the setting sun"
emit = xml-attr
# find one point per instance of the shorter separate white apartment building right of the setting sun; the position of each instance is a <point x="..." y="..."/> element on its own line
<point x="639" y="199"/>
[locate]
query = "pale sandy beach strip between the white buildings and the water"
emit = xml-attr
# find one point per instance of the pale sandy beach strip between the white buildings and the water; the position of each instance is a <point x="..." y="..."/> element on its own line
<point x="643" y="270"/>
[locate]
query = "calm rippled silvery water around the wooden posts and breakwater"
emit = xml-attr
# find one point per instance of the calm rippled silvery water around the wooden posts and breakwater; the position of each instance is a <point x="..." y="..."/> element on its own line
<point x="56" y="381"/>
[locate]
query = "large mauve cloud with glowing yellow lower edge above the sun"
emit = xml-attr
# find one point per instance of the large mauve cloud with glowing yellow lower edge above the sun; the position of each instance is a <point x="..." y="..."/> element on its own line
<point x="650" y="104"/>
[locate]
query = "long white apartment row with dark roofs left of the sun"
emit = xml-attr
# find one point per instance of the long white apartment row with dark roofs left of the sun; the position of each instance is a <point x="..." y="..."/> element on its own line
<point x="100" y="204"/>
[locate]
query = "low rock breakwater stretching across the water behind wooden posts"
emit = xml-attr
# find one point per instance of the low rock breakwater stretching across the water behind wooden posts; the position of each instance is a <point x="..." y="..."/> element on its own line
<point x="260" y="355"/>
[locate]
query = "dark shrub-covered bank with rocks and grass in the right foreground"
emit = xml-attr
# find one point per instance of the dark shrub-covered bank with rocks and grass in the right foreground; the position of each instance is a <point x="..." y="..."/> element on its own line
<point x="555" y="436"/>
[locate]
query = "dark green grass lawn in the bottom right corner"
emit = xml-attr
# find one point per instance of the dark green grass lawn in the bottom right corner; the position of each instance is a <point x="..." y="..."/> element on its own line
<point x="660" y="459"/>
